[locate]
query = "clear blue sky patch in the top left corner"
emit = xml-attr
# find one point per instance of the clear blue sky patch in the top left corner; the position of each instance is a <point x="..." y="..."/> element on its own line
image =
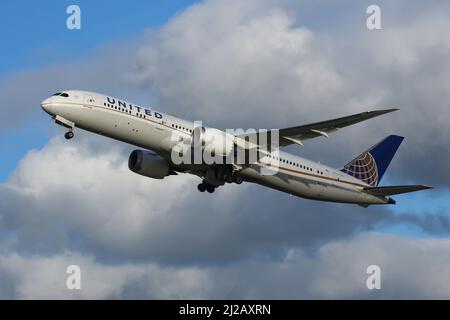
<point x="35" y="32"/>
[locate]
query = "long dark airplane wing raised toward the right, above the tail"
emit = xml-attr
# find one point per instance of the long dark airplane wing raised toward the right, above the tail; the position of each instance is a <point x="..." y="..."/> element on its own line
<point x="300" y="133"/>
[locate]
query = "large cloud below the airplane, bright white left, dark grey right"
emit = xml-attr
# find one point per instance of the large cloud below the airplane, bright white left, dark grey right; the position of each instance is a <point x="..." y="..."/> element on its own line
<point x="66" y="196"/>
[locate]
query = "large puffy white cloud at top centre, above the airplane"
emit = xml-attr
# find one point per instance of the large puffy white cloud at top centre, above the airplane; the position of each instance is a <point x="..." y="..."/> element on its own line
<point x="221" y="59"/>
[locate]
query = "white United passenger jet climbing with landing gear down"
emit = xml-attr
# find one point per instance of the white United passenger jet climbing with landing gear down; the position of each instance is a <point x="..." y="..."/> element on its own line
<point x="158" y="134"/>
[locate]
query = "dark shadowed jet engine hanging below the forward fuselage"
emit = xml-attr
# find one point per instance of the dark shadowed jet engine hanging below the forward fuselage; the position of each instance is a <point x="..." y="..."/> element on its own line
<point x="148" y="164"/>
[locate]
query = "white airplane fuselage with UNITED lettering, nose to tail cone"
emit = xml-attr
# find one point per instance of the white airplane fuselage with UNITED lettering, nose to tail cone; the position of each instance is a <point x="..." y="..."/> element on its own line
<point x="154" y="130"/>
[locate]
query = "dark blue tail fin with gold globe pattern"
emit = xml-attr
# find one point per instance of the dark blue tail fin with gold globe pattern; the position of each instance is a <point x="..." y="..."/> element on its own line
<point x="371" y="165"/>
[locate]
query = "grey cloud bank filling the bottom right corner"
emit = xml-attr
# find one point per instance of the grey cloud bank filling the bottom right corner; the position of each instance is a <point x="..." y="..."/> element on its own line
<point x="338" y="270"/>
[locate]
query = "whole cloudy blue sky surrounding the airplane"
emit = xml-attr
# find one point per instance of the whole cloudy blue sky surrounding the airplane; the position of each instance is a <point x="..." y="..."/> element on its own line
<point x="231" y="64"/>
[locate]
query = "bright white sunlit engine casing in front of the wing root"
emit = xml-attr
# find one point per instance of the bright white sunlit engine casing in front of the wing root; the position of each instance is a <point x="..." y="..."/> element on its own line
<point x="213" y="141"/>
